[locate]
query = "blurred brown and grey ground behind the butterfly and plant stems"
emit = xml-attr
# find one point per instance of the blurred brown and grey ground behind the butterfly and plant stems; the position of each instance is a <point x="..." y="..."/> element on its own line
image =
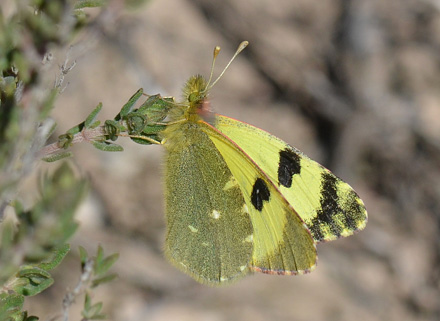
<point x="354" y="84"/>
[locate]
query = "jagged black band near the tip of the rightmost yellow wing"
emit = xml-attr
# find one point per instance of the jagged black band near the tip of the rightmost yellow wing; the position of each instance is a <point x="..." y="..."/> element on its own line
<point x="329" y="208"/>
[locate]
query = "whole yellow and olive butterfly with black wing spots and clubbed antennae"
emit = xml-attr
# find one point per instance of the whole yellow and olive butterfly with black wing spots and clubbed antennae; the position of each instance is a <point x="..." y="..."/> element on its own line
<point x="240" y="200"/>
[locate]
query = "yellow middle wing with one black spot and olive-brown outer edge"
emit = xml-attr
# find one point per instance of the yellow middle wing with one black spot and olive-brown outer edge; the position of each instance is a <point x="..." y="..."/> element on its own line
<point x="282" y="243"/>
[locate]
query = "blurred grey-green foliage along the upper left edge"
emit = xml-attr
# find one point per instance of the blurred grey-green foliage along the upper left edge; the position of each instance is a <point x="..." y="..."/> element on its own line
<point x="25" y="38"/>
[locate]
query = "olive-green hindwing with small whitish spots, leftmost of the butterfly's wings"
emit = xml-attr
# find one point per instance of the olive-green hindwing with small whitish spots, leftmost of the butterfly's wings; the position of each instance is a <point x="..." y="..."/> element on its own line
<point x="208" y="233"/>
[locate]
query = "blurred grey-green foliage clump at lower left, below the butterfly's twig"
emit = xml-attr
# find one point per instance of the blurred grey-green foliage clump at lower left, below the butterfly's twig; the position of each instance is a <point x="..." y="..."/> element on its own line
<point x="36" y="244"/>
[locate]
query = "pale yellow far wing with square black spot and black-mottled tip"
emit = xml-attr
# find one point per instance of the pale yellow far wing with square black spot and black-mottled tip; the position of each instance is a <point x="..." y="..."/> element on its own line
<point x="329" y="207"/>
